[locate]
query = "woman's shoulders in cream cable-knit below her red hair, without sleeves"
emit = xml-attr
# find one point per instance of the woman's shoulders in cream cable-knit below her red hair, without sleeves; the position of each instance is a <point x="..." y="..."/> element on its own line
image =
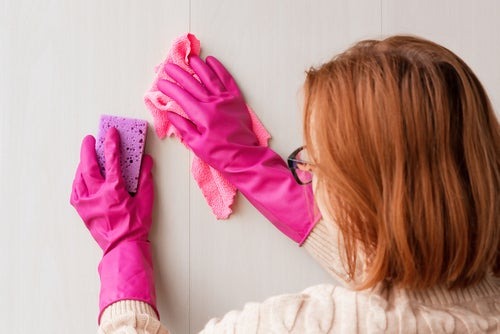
<point x="329" y="308"/>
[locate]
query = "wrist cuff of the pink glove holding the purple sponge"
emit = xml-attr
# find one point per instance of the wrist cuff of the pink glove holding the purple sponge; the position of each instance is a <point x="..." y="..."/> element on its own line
<point x="126" y="273"/>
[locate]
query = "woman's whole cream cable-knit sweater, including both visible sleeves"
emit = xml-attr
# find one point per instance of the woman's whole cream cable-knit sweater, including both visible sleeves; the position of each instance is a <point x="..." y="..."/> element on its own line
<point x="337" y="309"/>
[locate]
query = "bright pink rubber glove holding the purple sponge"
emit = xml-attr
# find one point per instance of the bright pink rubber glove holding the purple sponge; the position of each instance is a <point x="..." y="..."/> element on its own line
<point x="118" y="222"/>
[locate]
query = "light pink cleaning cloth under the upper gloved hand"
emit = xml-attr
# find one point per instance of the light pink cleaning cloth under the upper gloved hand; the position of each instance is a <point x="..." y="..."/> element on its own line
<point x="218" y="192"/>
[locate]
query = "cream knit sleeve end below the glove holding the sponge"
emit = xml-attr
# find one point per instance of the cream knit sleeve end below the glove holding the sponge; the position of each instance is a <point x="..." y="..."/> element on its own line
<point x="131" y="317"/>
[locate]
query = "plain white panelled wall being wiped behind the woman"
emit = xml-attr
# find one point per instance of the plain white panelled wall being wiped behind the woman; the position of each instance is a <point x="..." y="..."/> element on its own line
<point x="63" y="63"/>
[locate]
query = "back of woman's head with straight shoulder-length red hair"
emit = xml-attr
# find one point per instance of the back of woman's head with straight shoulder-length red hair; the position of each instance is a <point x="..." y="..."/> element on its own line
<point x="406" y="148"/>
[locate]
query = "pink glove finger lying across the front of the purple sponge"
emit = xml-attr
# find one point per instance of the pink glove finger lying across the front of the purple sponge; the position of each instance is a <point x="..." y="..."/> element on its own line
<point x="112" y="157"/>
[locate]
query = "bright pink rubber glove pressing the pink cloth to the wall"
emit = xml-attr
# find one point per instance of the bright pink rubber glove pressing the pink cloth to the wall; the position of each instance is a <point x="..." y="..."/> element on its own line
<point x="220" y="133"/>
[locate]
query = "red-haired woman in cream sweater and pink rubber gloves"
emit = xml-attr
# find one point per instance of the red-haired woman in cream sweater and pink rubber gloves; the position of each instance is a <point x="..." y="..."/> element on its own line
<point x="403" y="148"/>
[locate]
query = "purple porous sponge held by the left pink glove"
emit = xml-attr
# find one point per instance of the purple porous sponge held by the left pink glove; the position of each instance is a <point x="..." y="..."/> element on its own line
<point x="133" y="139"/>
